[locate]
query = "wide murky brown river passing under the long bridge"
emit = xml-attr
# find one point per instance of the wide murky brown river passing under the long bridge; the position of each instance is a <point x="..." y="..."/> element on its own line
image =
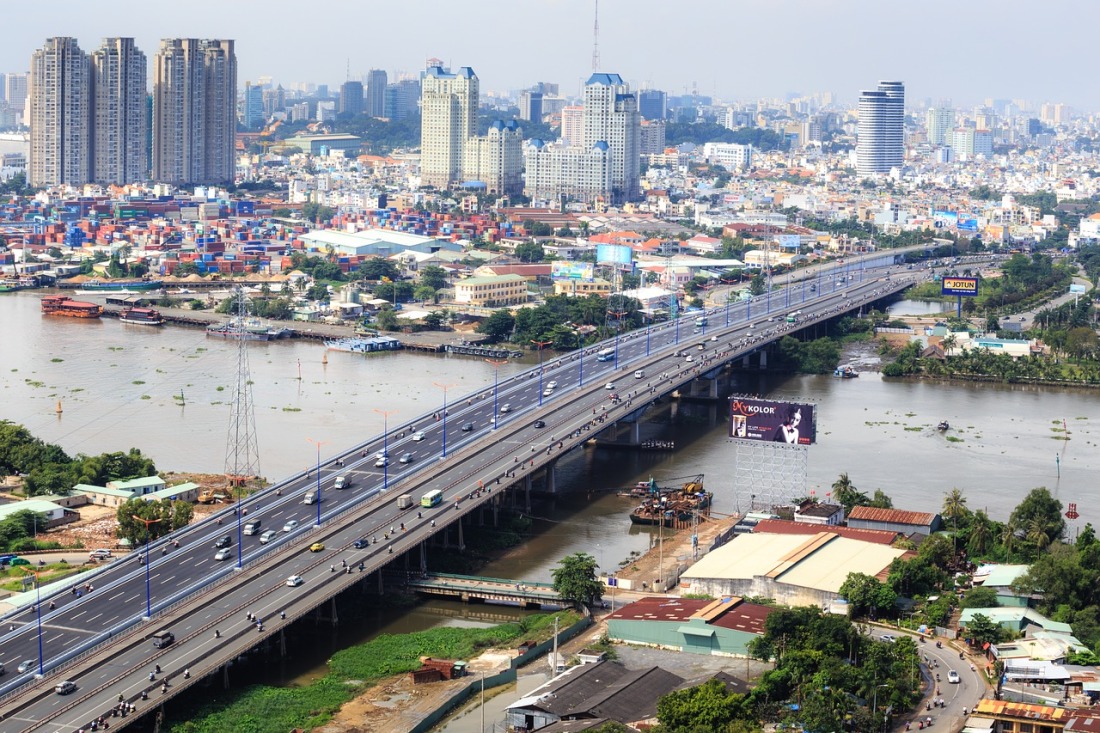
<point x="119" y="387"/>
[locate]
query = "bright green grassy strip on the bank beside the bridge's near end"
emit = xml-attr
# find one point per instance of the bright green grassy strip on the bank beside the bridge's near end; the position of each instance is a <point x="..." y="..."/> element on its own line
<point x="260" y="709"/>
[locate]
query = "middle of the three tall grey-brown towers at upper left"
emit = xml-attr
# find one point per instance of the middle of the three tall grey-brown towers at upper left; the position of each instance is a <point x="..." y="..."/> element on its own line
<point x="120" y="117"/>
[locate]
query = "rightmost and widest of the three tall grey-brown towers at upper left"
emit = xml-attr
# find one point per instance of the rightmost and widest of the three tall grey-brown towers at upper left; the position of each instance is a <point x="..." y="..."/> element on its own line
<point x="194" y="125"/>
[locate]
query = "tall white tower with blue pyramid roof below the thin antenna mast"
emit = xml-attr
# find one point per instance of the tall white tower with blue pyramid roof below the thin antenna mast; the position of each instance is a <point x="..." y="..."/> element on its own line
<point x="611" y="116"/>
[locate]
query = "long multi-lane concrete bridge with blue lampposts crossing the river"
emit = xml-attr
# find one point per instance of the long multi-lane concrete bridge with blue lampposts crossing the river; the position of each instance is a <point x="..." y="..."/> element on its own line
<point x="468" y="451"/>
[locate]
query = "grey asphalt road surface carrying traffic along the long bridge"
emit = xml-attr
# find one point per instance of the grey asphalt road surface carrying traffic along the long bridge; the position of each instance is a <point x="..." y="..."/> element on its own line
<point x="118" y="596"/>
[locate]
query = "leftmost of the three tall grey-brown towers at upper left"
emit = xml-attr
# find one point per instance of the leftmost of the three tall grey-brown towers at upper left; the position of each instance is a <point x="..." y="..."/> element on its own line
<point x="60" y="92"/>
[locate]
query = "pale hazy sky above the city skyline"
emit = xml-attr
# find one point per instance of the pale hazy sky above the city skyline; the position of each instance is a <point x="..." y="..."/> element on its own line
<point x="962" y="51"/>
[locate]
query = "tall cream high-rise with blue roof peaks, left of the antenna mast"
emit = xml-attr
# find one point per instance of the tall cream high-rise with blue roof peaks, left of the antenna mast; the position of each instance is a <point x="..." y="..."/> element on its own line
<point x="448" y="119"/>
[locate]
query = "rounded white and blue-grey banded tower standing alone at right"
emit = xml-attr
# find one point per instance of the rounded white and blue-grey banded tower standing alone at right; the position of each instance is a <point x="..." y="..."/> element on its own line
<point x="882" y="143"/>
